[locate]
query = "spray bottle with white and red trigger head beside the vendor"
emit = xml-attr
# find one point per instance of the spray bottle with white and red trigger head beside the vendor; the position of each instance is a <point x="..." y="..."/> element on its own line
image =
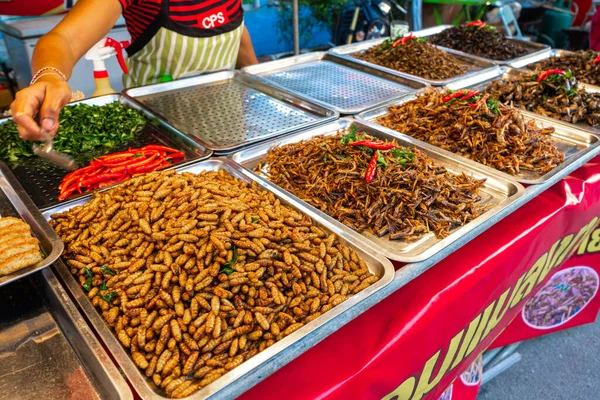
<point x="102" y="50"/>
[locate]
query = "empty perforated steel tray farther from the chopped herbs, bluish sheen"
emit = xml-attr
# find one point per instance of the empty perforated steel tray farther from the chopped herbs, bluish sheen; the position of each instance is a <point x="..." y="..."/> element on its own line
<point x="339" y="84"/>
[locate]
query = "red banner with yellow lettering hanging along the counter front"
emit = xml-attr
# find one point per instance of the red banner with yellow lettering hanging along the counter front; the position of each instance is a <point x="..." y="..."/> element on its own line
<point x="399" y="346"/>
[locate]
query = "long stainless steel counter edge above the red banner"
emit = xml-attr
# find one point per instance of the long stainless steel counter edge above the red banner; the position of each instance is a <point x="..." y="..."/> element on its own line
<point x="401" y="278"/>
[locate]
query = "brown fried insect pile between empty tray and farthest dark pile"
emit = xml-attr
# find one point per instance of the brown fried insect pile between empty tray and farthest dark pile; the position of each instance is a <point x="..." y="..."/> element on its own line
<point x="415" y="57"/>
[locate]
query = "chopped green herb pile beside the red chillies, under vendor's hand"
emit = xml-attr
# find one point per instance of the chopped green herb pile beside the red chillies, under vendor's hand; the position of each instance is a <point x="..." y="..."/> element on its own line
<point x="85" y="132"/>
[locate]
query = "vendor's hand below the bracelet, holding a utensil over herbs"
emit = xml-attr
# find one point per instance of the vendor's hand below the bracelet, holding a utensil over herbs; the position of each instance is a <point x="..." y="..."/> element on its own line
<point x="47" y="96"/>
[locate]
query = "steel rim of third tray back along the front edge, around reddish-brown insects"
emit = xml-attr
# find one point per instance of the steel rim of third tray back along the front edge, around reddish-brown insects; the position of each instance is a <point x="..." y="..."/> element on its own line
<point x="573" y="142"/>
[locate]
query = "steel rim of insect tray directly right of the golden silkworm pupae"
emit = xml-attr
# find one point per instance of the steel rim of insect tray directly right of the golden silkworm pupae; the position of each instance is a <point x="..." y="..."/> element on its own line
<point x="499" y="192"/>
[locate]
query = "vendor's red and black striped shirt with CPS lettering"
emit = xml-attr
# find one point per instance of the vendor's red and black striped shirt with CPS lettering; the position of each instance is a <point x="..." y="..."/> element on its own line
<point x="196" y="18"/>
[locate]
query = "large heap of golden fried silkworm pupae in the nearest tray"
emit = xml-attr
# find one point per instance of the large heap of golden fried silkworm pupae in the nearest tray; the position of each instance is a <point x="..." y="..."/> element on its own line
<point x="198" y="273"/>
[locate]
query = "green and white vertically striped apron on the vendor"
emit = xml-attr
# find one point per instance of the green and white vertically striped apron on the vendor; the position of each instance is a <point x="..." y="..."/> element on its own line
<point x="179" y="56"/>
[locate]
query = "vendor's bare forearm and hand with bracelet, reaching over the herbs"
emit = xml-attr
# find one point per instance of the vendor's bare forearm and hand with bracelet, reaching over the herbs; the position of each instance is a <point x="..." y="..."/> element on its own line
<point x="87" y="23"/>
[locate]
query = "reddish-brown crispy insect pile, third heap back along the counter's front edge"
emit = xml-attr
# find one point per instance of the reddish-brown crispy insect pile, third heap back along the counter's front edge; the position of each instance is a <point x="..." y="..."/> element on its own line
<point x="478" y="128"/>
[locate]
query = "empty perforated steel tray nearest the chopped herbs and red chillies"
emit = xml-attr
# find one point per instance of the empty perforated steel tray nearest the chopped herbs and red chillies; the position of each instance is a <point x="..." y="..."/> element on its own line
<point x="228" y="110"/>
